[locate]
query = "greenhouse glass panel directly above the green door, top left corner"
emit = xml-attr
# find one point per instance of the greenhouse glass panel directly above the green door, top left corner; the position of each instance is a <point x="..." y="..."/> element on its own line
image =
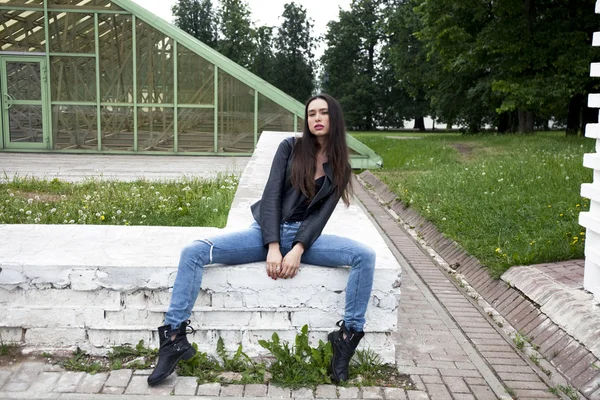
<point x="22" y="31"/>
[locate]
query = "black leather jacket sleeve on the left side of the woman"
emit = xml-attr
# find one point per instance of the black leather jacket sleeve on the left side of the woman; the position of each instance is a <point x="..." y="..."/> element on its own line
<point x="270" y="205"/>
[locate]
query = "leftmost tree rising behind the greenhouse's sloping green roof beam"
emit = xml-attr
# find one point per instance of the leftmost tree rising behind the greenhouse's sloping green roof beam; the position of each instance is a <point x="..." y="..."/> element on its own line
<point x="197" y="18"/>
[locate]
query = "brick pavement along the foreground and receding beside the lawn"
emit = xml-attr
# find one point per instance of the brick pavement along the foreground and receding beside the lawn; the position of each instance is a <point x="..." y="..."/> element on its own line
<point x="448" y="345"/>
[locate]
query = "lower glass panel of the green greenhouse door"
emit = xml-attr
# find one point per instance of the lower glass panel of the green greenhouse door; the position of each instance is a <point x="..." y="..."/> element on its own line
<point x="25" y="124"/>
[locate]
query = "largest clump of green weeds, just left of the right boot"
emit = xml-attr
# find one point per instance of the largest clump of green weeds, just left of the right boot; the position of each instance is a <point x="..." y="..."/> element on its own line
<point x="300" y="365"/>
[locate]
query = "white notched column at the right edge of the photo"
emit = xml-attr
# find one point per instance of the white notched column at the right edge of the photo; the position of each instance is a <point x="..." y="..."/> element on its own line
<point x="591" y="219"/>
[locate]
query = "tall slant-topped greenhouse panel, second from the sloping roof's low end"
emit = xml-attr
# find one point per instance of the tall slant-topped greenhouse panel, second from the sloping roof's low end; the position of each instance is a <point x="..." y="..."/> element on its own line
<point x="236" y="115"/>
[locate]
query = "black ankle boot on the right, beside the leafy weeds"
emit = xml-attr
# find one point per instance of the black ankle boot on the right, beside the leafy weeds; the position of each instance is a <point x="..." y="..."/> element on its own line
<point x="343" y="350"/>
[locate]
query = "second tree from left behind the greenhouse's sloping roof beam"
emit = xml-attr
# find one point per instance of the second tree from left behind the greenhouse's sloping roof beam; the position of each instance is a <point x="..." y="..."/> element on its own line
<point x="235" y="32"/>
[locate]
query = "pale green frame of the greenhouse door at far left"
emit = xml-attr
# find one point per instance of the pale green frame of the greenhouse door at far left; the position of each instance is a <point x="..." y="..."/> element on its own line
<point x="6" y="104"/>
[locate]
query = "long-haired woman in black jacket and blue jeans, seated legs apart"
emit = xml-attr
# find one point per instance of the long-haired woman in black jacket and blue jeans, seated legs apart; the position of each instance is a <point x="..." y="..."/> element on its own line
<point x="308" y="177"/>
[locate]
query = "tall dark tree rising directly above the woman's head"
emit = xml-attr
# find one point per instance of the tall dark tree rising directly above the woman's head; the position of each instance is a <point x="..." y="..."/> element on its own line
<point x="295" y="66"/>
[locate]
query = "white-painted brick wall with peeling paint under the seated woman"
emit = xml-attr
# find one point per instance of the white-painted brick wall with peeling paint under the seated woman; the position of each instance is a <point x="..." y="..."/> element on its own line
<point x="100" y="286"/>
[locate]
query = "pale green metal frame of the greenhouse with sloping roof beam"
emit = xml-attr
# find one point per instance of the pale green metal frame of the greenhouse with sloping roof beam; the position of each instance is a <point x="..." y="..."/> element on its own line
<point x="366" y="158"/>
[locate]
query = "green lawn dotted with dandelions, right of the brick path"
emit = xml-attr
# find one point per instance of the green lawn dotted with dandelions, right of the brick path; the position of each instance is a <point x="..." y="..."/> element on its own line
<point x="506" y="199"/>
